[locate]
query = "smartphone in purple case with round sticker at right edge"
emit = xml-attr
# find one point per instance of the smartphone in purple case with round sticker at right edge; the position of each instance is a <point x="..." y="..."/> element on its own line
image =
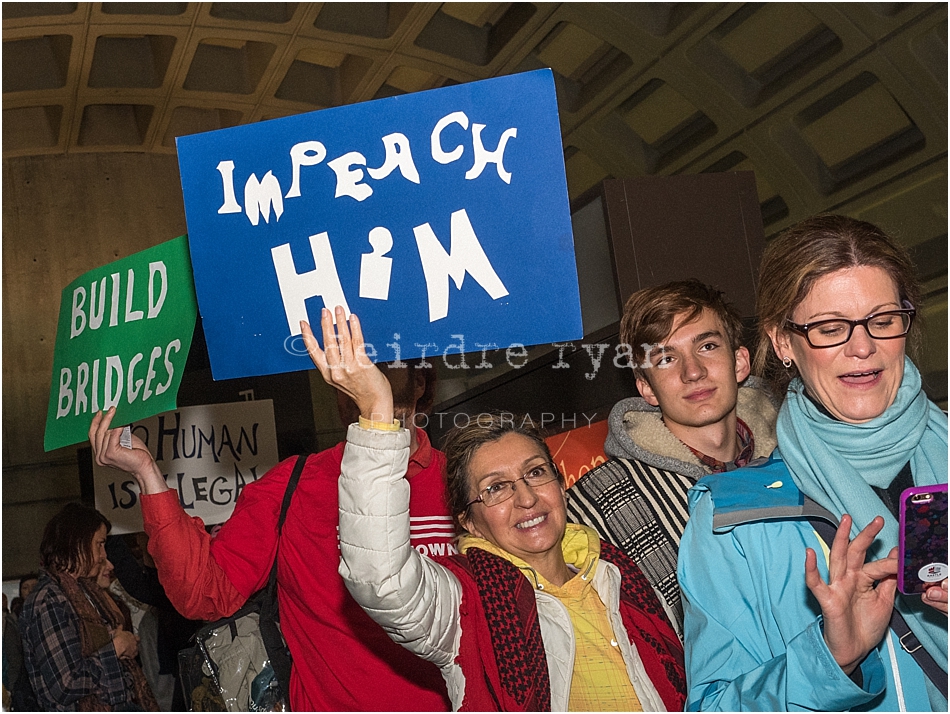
<point x="923" y="538"/>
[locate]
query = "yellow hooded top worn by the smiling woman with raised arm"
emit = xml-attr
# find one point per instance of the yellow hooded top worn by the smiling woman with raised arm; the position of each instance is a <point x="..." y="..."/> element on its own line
<point x="599" y="681"/>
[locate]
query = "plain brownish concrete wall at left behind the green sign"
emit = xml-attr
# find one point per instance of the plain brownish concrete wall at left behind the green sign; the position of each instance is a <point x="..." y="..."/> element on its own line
<point x="62" y="216"/>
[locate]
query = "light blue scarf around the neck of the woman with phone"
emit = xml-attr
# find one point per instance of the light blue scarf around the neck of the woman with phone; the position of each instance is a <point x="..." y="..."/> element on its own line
<point x="836" y="463"/>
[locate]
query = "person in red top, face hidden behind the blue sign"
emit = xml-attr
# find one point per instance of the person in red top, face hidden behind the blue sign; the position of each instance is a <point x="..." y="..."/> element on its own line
<point x="342" y="660"/>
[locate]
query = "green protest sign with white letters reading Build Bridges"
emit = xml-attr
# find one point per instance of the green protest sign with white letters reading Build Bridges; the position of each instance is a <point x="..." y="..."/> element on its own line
<point x="123" y="338"/>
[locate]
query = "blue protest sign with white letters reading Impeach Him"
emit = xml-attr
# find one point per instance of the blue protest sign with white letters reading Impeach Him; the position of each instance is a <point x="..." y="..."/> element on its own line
<point x="441" y="218"/>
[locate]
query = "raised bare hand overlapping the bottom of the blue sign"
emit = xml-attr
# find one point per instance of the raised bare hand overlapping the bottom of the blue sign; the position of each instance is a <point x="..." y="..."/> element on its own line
<point x="344" y="365"/>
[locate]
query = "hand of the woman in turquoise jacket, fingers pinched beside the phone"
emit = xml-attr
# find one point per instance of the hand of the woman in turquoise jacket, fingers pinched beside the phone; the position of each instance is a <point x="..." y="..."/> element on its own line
<point x="856" y="613"/>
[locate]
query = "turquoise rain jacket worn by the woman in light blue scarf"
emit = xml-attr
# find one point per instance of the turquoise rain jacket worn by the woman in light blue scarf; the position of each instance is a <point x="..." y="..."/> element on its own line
<point x="753" y="630"/>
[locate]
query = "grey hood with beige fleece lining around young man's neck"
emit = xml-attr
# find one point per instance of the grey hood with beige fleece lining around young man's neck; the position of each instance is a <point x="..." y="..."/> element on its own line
<point x="636" y="431"/>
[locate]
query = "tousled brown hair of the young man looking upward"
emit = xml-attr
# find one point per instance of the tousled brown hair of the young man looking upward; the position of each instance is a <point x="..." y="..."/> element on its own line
<point x="649" y="314"/>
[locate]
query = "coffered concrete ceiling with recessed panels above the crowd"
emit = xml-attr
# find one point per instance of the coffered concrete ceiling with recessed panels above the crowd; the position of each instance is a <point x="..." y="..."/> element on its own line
<point x="826" y="102"/>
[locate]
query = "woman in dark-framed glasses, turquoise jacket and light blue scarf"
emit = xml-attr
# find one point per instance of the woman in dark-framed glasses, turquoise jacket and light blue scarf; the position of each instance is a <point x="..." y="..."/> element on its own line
<point x="779" y="617"/>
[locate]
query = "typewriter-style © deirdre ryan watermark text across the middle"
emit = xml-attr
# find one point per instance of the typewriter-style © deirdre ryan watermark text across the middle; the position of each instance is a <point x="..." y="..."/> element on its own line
<point x="460" y="355"/>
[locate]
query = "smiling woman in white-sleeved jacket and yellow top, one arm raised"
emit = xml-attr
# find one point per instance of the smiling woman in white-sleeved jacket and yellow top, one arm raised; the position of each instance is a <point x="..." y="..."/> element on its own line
<point x="534" y="613"/>
